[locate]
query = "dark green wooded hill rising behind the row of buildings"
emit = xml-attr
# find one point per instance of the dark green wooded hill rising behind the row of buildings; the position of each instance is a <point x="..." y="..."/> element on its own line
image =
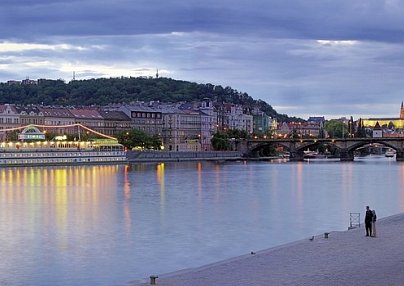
<point x="103" y="91"/>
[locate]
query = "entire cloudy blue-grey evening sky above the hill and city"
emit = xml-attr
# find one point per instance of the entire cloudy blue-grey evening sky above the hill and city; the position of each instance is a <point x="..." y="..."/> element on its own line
<point x="332" y="58"/>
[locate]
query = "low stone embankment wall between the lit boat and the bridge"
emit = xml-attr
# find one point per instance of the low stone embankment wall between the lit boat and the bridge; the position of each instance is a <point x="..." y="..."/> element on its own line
<point x="158" y="156"/>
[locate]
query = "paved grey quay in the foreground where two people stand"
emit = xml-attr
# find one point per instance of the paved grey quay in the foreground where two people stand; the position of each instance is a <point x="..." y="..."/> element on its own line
<point x="344" y="258"/>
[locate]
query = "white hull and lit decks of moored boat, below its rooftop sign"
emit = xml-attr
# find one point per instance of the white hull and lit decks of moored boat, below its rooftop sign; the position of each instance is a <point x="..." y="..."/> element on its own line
<point x="61" y="153"/>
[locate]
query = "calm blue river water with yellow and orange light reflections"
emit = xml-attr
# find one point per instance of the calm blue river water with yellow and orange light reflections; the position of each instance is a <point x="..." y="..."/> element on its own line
<point x="108" y="225"/>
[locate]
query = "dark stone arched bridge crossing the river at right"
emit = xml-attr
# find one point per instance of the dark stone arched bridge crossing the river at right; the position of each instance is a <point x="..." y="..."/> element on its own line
<point x="296" y="147"/>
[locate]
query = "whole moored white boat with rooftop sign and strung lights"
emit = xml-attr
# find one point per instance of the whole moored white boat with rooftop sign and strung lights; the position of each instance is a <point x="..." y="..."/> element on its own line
<point x="32" y="149"/>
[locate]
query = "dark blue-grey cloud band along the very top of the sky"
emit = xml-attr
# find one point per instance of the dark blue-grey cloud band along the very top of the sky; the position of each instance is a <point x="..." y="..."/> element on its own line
<point x="363" y="20"/>
